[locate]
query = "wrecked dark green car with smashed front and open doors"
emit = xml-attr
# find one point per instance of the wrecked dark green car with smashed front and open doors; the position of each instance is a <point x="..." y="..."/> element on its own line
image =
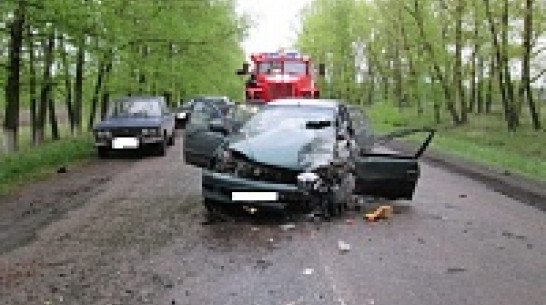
<point x="299" y="154"/>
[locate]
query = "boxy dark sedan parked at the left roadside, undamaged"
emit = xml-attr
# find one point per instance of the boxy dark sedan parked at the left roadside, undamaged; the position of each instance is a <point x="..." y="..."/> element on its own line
<point x="135" y="123"/>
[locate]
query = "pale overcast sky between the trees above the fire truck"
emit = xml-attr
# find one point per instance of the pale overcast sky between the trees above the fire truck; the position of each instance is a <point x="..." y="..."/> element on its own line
<point x="274" y="23"/>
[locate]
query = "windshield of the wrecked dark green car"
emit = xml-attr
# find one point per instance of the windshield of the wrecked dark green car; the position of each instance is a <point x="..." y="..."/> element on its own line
<point x="292" y="117"/>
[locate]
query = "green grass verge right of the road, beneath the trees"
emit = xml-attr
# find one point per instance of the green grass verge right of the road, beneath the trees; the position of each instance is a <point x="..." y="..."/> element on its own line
<point x="485" y="140"/>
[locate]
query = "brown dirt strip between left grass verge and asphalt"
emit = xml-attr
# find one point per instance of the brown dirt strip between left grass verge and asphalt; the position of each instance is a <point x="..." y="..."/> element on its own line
<point x="32" y="207"/>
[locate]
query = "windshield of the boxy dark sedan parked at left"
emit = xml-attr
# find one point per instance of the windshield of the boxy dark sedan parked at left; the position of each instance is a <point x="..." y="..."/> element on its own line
<point x="135" y="108"/>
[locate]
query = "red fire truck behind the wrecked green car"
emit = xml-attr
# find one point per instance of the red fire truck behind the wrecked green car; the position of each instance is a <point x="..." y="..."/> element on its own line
<point x="280" y="75"/>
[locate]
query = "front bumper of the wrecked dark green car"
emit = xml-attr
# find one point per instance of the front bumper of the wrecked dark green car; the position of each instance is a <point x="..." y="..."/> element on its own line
<point x="218" y="187"/>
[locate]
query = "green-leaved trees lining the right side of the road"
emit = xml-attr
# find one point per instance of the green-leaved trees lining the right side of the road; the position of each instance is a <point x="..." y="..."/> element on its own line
<point x="434" y="56"/>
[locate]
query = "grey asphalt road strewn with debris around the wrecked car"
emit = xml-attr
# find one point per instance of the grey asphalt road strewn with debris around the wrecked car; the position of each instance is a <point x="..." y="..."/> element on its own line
<point x="139" y="236"/>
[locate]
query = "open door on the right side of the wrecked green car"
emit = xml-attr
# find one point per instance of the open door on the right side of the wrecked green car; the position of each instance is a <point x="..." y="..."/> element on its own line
<point x="390" y="175"/>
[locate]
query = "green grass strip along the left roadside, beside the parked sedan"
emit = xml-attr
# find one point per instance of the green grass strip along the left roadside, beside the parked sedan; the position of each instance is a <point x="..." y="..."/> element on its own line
<point x="35" y="163"/>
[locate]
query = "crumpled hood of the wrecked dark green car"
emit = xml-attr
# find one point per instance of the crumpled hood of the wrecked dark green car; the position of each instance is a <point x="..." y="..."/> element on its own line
<point x="301" y="149"/>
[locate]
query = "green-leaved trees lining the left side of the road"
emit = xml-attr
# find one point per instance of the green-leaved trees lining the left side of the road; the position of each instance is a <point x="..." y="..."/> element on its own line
<point x="79" y="53"/>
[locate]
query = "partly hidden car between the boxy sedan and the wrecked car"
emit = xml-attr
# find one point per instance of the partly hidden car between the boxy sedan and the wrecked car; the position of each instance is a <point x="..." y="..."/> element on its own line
<point x="218" y="104"/>
